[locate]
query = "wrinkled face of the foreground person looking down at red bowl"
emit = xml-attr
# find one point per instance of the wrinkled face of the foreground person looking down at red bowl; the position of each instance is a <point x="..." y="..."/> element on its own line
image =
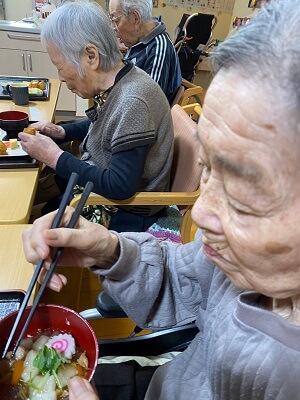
<point x="249" y="208"/>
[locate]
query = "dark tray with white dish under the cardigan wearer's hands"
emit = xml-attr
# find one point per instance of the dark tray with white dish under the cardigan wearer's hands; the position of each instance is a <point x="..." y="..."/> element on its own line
<point x="16" y="158"/>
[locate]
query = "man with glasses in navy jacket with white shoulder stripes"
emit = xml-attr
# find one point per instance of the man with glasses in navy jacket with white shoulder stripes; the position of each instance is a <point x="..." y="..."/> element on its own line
<point x="149" y="46"/>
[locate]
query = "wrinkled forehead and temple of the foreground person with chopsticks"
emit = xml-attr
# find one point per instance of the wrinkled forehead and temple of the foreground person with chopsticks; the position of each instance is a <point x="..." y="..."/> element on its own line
<point x="243" y="117"/>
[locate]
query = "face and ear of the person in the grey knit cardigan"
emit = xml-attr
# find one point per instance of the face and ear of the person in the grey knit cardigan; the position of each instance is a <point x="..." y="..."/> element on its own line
<point x="84" y="87"/>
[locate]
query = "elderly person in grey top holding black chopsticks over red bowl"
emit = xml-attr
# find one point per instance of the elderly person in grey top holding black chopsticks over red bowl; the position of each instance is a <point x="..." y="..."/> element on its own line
<point x="239" y="280"/>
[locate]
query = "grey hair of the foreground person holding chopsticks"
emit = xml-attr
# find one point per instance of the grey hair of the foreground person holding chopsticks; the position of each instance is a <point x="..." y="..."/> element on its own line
<point x="267" y="48"/>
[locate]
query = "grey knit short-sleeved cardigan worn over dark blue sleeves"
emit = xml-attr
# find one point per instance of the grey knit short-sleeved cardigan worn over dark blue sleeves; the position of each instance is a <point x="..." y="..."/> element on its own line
<point x="135" y="114"/>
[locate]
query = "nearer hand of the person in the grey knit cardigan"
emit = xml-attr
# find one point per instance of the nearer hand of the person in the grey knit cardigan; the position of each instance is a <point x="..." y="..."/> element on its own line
<point x="41" y="148"/>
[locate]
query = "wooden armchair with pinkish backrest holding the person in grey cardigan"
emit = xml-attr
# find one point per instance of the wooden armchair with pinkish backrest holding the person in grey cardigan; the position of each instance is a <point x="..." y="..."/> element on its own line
<point x="185" y="176"/>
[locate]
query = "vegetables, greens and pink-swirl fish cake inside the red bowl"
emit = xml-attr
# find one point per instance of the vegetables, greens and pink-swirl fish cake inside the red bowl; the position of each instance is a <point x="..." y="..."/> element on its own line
<point x="43" y="366"/>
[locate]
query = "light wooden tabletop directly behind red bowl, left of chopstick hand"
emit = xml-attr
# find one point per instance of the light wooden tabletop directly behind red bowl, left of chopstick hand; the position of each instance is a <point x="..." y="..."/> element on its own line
<point x="15" y="271"/>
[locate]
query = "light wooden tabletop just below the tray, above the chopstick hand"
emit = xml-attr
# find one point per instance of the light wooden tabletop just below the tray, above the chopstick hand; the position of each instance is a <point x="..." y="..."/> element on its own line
<point x="17" y="192"/>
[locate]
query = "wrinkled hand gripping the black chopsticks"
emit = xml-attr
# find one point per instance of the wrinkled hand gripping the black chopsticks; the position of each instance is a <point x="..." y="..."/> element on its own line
<point x="87" y="245"/>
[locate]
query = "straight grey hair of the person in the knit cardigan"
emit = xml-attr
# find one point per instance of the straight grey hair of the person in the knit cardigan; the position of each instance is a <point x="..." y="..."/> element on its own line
<point x="74" y="25"/>
